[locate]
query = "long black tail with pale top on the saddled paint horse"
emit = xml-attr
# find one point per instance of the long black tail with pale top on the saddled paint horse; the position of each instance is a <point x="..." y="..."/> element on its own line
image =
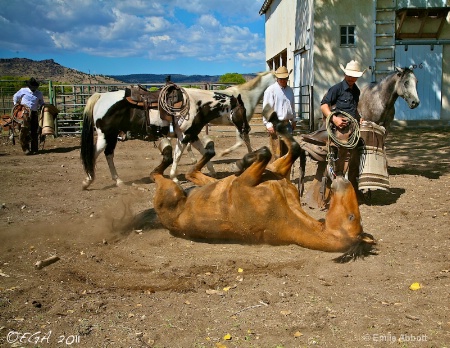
<point x="87" y="136"/>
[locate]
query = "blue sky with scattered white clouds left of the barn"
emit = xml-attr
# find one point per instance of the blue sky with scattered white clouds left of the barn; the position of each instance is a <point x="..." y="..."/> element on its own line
<point x="120" y="37"/>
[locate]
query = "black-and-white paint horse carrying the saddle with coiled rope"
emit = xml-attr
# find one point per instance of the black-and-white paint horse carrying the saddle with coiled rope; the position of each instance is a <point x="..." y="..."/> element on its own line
<point x="111" y="112"/>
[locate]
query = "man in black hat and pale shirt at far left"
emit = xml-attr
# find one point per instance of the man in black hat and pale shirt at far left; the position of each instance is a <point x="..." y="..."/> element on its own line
<point x="31" y="97"/>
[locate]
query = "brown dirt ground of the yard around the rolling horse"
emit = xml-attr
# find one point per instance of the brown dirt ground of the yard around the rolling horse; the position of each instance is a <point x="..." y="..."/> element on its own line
<point x="123" y="281"/>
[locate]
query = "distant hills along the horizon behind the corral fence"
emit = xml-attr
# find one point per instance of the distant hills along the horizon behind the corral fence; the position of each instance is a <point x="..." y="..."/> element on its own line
<point x="48" y="69"/>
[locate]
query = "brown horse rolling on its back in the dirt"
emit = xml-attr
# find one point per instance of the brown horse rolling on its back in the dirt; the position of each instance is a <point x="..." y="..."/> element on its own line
<point x="258" y="206"/>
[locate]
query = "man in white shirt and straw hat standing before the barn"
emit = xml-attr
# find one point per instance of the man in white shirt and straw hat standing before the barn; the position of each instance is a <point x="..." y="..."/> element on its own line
<point x="280" y="97"/>
